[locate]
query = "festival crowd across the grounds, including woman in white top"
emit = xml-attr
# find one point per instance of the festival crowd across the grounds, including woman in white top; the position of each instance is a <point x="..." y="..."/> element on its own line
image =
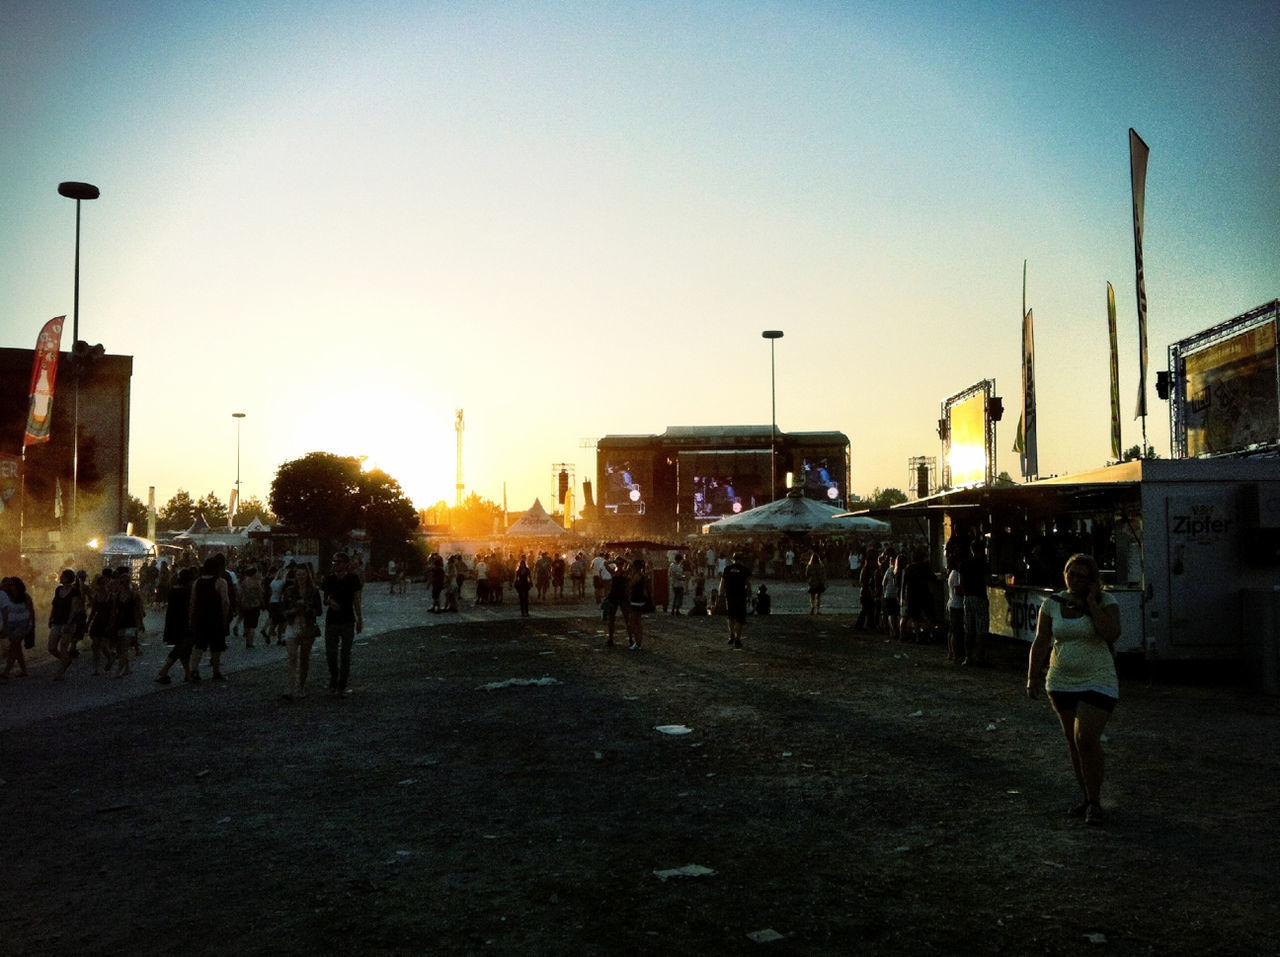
<point x="209" y="605"/>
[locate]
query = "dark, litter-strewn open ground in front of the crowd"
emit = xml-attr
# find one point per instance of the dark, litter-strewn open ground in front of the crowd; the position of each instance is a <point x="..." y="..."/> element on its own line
<point x="843" y="794"/>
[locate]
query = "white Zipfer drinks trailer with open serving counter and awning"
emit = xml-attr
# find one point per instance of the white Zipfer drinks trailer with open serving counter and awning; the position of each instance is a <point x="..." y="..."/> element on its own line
<point x="1190" y="548"/>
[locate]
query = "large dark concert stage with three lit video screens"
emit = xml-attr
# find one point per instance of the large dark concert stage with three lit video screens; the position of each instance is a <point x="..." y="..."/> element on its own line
<point x="688" y="477"/>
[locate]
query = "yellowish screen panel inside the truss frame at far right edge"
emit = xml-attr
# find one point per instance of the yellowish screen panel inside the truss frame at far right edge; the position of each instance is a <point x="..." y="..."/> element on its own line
<point x="1231" y="400"/>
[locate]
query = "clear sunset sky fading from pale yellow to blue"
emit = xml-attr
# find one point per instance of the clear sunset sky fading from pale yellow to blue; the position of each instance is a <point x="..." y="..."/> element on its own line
<point x="575" y="219"/>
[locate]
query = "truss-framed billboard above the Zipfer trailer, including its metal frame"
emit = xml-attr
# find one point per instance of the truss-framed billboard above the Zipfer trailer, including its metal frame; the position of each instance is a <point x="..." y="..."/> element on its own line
<point x="1224" y="388"/>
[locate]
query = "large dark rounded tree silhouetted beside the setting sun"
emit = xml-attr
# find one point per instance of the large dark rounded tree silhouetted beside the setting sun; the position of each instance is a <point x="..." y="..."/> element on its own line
<point x="327" y="497"/>
